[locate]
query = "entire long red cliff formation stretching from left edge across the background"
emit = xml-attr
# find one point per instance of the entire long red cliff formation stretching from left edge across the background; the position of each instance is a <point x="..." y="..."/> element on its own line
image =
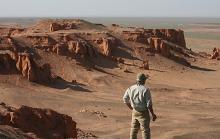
<point x="21" y="50"/>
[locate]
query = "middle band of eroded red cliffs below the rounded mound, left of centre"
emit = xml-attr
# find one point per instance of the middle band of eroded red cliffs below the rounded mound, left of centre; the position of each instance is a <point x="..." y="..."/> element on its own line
<point x="75" y="45"/>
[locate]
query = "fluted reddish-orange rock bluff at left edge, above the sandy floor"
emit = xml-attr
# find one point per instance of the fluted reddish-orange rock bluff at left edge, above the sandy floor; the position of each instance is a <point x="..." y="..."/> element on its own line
<point x="23" y="63"/>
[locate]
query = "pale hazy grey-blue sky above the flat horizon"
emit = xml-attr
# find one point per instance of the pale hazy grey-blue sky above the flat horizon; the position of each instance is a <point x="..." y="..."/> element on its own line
<point x="148" y="8"/>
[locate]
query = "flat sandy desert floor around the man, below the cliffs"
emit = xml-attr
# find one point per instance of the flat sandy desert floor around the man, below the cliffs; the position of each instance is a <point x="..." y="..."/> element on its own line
<point x="185" y="100"/>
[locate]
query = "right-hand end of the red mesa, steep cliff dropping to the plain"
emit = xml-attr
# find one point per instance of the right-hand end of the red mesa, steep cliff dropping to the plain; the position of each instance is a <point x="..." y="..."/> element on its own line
<point x="169" y="43"/>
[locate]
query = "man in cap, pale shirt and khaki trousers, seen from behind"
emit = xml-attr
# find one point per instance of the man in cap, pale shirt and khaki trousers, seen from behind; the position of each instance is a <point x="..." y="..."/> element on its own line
<point x="138" y="99"/>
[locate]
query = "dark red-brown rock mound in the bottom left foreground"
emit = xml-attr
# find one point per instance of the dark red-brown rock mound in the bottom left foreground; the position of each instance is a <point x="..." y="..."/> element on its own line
<point x="44" y="123"/>
